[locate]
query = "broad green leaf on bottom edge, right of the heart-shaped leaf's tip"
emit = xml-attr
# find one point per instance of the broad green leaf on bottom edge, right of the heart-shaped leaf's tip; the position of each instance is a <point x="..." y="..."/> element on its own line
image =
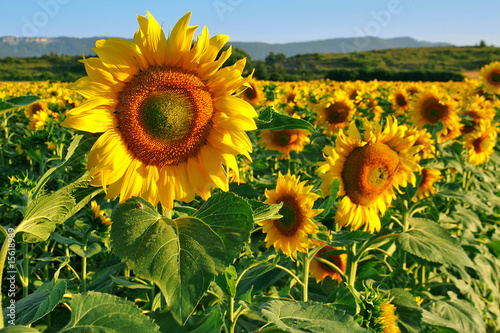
<point x="298" y="317"/>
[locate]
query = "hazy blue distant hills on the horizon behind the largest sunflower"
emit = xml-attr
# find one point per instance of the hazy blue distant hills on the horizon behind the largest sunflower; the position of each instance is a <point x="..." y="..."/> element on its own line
<point x="37" y="46"/>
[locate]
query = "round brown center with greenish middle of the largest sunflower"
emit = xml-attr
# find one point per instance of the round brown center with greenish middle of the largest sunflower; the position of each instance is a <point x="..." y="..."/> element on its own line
<point x="164" y="115"/>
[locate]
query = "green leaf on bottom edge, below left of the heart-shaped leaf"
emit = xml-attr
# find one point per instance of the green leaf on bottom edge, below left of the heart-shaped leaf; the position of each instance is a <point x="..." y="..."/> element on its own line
<point x="98" y="312"/>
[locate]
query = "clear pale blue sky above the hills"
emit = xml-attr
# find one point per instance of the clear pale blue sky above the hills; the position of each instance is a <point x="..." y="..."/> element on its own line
<point x="460" y="22"/>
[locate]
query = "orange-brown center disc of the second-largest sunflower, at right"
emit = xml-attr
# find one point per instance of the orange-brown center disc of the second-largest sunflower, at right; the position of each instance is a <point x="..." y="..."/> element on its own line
<point x="368" y="171"/>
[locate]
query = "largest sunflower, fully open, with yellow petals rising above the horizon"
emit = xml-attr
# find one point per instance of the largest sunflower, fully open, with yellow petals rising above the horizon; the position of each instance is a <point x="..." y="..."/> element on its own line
<point x="167" y="113"/>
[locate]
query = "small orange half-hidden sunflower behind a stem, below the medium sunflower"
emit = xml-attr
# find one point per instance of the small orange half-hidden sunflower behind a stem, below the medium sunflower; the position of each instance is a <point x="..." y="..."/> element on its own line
<point x="320" y="270"/>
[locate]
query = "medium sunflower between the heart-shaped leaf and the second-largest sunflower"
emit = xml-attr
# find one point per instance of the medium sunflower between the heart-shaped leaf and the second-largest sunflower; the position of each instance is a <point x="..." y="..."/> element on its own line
<point x="291" y="232"/>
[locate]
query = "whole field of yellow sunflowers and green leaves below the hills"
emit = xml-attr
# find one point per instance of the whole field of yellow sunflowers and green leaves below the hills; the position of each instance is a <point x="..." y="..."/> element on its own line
<point x="164" y="192"/>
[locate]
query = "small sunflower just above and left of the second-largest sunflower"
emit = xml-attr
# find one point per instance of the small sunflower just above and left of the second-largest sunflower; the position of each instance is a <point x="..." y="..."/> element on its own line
<point x="335" y="112"/>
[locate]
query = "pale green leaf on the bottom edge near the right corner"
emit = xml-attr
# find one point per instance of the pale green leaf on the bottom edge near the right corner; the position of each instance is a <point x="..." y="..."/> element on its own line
<point x="455" y="314"/>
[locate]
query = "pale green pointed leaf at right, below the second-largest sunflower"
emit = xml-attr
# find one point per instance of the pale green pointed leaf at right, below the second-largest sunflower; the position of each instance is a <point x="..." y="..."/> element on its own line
<point x="429" y="241"/>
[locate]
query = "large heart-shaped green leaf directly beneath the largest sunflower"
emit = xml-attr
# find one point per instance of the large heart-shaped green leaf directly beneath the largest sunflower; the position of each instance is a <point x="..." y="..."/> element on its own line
<point x="184" y="255"/>
